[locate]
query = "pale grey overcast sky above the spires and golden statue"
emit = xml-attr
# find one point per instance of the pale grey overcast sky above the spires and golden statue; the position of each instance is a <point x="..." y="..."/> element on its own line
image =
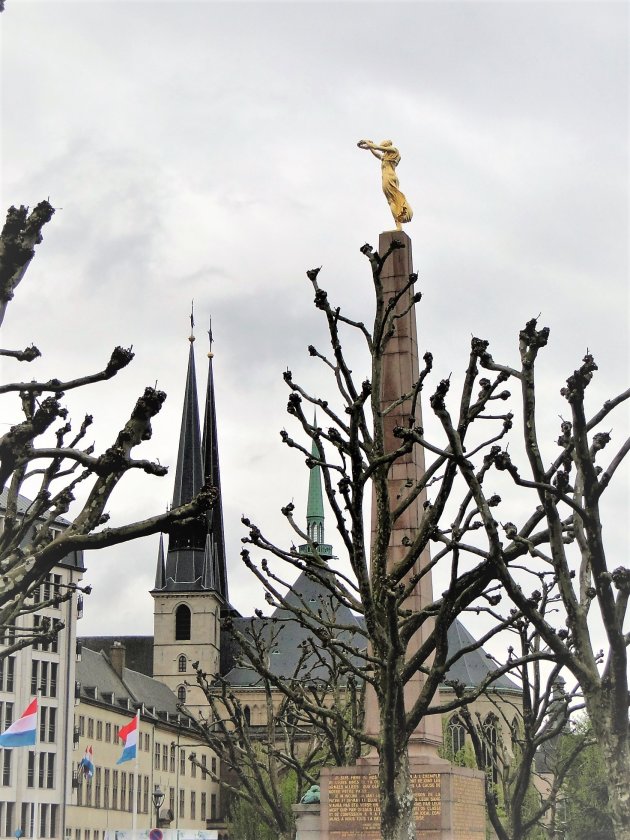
<point x="207" y="151"/>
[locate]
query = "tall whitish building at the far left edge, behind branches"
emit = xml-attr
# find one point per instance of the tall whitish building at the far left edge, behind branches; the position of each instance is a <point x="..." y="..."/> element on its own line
<point x="35" y="783"/>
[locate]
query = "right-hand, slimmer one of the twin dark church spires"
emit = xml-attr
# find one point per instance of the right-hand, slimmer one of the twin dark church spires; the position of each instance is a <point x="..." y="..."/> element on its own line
<point x="215" y="569"/>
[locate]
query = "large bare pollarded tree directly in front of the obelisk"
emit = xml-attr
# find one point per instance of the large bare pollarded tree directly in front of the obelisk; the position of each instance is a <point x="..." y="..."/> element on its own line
<point x="361" y="456"/>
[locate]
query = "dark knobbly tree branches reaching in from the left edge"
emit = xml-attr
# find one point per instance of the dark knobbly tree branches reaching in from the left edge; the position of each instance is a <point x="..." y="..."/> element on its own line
<point x="41" y="452"/>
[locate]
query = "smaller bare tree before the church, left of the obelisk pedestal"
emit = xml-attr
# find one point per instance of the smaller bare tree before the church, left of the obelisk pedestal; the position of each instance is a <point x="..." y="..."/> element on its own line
<point x="288" y="746"/>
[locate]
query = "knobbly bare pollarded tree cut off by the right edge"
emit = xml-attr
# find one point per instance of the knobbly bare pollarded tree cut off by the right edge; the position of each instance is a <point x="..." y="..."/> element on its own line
<point x="593" y="593"/>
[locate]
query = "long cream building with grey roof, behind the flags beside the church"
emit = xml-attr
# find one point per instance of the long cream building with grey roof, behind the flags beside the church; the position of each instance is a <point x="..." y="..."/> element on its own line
<point x="170" y="756"/>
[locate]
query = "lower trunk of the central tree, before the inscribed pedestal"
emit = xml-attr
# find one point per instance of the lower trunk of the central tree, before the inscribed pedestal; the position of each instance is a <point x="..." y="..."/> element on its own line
<point x="396" y="797"/>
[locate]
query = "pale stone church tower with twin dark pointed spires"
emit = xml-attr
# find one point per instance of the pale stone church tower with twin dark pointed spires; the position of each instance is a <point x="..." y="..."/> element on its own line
<point x="190" y="592"/>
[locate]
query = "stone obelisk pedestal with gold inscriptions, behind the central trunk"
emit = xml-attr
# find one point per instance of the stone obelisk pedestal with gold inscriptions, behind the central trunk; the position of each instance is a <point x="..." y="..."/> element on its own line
<point x="449" y="802"/>
